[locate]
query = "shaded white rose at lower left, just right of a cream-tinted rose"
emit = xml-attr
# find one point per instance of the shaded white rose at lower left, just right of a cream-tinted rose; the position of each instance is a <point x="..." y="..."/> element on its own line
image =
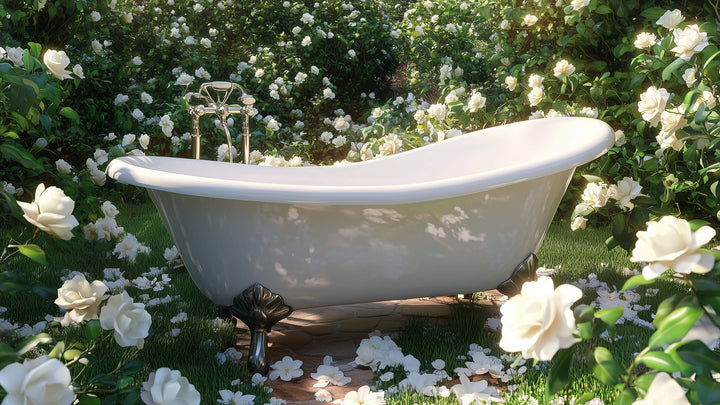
<point x="129" y="320"/>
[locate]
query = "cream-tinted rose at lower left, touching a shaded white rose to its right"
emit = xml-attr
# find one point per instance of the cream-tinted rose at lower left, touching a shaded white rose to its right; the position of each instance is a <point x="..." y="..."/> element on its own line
<point x="81" y="298"/>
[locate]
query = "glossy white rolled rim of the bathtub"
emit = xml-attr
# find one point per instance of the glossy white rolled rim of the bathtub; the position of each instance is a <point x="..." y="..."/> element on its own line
<point x="133" y="170"/>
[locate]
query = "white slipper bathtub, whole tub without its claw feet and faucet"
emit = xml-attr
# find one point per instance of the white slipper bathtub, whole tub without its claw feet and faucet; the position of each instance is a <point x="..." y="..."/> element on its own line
<point x="381" y="242"/>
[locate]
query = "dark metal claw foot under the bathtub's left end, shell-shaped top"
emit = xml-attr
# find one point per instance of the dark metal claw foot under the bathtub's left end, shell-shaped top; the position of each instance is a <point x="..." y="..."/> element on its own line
<point x="260" y="309"/>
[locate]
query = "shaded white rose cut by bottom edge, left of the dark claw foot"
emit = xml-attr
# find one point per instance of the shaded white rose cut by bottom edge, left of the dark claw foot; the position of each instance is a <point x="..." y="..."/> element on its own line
<point x="166" y="387"/>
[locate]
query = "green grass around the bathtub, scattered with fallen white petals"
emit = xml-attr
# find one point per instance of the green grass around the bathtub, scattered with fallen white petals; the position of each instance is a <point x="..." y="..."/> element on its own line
<point x="574" y="254"/>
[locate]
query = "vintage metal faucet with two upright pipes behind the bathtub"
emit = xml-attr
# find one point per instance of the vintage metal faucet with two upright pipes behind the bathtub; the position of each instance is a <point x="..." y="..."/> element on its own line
<point x="218" y="105"/>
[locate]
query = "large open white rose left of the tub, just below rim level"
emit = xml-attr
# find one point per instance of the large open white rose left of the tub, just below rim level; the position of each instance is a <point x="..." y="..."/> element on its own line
<point x="51" y="211"/>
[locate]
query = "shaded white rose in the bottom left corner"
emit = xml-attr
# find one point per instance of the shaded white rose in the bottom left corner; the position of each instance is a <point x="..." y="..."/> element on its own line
<point x="38" y="381"/>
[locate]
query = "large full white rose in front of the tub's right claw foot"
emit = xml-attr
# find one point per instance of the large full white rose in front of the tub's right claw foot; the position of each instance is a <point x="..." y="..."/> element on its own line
<point x="538" y="321"/>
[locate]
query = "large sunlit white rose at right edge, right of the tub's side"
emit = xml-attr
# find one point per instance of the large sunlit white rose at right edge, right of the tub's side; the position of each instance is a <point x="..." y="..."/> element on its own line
<point x="670" y="242"/>
